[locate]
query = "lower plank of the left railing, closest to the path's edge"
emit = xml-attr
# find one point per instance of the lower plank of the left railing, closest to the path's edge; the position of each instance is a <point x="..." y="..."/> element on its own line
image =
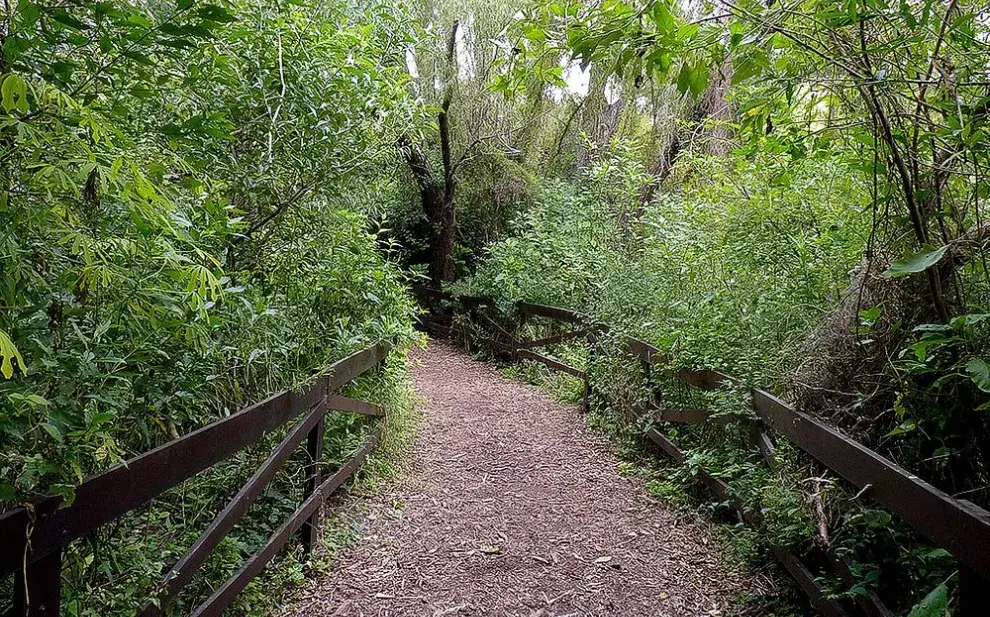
<point x="223" y="596"/>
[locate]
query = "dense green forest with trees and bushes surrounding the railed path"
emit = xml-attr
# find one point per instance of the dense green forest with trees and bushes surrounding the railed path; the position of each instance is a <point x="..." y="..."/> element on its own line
<point x="206" y="202"/>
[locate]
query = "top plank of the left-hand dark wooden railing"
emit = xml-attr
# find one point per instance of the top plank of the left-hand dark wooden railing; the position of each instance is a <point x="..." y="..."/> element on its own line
<point x="115" y="492"/>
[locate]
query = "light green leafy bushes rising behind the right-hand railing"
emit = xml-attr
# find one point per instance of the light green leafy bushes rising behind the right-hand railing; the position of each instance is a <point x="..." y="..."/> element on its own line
<point x="730" y="272"/>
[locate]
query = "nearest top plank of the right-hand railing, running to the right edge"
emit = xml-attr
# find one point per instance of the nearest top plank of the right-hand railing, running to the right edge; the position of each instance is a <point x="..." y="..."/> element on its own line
<point x="961" y="528"/>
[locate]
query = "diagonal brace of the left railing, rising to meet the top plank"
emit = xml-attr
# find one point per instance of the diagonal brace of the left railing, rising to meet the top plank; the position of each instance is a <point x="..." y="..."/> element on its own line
<point x="182" y="572"/>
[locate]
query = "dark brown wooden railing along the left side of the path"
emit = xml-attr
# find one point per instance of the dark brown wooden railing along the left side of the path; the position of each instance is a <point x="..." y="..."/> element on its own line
<point x="32" y="538"/>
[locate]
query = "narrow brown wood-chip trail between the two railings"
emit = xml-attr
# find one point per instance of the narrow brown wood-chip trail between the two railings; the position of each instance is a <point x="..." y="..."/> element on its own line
<point x="511" y="506"/>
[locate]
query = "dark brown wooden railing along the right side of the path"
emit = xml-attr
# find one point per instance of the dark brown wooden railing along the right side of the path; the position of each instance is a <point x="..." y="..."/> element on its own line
<point x="956" y="525"/>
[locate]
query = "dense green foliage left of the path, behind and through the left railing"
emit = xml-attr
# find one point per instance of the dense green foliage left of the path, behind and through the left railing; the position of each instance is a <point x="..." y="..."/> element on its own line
<point x="179" y="241"/>
